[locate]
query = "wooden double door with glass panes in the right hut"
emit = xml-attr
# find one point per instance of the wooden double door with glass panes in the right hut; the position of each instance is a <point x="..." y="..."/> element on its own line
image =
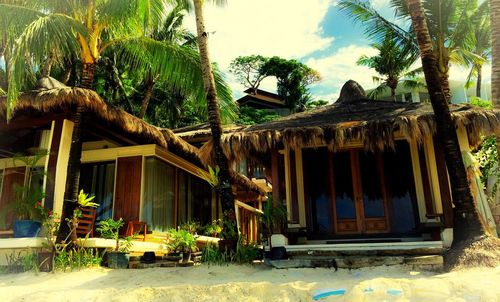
<point x="358" y="193"/>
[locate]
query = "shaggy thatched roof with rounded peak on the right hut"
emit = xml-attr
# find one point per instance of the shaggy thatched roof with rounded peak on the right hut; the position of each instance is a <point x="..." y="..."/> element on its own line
<point x="354" y="117"/>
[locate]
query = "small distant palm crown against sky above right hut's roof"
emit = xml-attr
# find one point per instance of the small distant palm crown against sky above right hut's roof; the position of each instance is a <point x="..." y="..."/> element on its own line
<point x="393" y="63"/>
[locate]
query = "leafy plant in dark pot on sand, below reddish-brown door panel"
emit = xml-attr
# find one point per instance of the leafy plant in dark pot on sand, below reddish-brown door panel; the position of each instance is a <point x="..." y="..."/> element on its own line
<point x="110" y="229"/>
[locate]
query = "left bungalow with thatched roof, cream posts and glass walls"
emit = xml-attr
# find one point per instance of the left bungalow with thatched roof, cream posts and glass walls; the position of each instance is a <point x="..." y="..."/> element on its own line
<point x="137" y="171"/>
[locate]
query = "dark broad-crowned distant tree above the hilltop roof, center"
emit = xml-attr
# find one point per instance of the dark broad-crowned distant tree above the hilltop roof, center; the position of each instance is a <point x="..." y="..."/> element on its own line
<point x="293" y="77"/>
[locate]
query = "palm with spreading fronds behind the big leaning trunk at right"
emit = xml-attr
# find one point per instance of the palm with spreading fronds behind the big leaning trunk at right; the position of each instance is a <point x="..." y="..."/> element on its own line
<point x="448" y="25"/>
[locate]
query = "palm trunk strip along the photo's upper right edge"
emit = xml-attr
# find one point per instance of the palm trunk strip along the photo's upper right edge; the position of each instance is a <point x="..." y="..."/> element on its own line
<point x="495" y="52"/>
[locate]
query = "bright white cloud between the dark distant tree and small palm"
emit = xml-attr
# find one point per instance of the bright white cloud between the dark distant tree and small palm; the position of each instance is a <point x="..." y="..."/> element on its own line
<point x="339" y="67"/>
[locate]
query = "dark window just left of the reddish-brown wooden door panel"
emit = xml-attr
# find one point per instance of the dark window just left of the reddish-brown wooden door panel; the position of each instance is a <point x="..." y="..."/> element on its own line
<point x="98" y="179"/>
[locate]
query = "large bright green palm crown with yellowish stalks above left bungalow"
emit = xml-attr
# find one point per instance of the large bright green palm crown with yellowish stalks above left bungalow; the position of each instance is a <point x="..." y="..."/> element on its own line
<point x="88" y="29"/>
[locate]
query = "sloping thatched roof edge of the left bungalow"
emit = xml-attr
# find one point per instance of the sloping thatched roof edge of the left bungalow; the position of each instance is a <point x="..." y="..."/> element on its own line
<point x="66" y="99"/>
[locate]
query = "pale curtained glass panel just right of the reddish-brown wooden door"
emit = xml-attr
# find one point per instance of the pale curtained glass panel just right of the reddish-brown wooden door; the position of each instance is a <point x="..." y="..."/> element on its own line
<point x="158" y="195"/>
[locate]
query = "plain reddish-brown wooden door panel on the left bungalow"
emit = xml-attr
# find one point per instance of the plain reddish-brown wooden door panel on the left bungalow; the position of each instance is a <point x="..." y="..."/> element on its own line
<point x="128" y="188"/>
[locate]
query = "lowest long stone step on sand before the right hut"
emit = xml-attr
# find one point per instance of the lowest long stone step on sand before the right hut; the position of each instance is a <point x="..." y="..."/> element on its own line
<point x="427" y="262"/>
